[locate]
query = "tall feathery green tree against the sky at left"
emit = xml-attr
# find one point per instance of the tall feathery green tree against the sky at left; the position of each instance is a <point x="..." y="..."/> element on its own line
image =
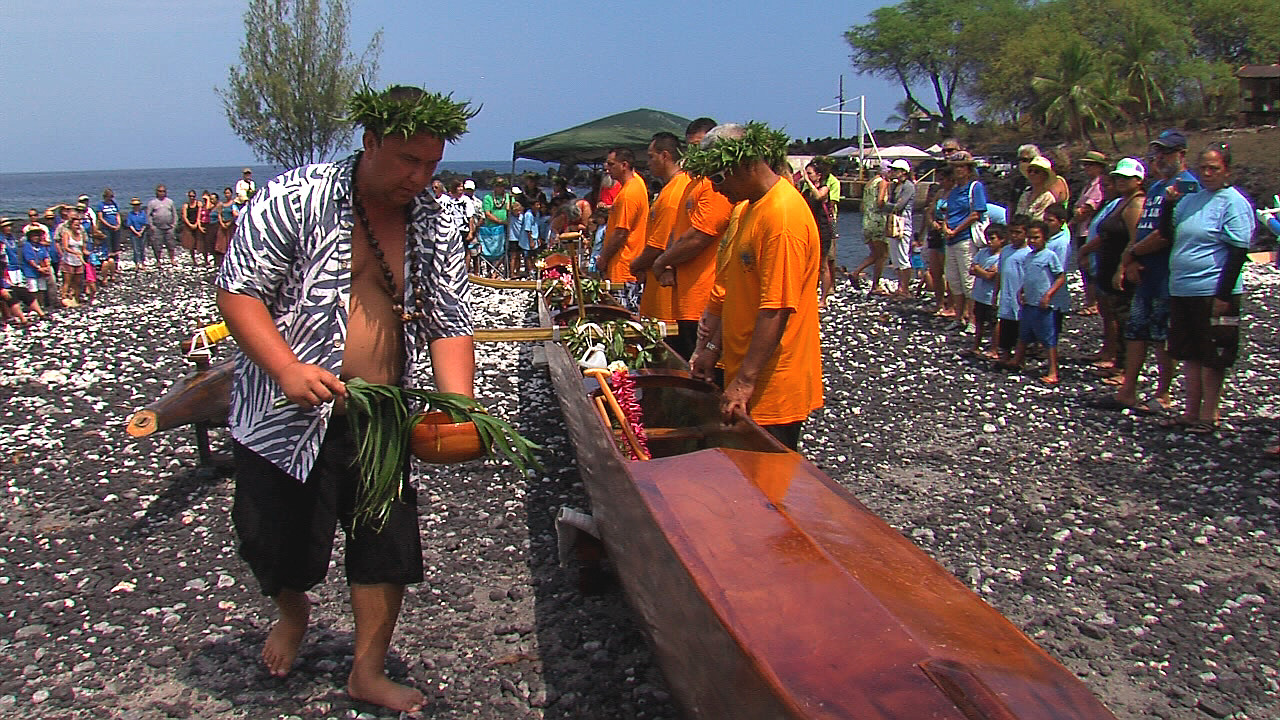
<point x="287" y="97"/>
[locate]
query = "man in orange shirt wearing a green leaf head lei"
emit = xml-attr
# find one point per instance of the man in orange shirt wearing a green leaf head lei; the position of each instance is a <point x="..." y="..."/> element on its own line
<point x="762" y="322"/>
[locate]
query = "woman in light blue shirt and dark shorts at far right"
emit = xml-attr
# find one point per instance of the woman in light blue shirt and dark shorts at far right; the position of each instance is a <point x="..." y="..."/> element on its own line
<point x="1212" y="231"/>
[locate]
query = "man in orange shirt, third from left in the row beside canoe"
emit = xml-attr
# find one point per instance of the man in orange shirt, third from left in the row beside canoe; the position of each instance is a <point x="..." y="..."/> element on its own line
<point x="689" y="263"/>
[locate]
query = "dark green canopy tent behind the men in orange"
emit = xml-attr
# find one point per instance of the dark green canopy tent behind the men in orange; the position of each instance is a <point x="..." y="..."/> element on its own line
<point x="591" y="143"/>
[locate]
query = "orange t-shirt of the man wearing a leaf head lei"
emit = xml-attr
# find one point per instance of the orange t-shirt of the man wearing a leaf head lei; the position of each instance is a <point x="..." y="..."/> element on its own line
<point x="772" y="263"/>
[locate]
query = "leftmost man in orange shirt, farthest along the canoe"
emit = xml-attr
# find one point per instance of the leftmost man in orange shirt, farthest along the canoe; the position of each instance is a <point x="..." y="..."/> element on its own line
<point x="625" y="233"/>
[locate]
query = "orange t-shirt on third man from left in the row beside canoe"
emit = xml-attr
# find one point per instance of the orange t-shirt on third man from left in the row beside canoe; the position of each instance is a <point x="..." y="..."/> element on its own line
<point x="707" y="211"/>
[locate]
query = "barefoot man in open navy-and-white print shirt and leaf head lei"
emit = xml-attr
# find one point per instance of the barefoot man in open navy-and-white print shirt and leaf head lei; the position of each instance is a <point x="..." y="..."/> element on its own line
<point x="342" y="271"/>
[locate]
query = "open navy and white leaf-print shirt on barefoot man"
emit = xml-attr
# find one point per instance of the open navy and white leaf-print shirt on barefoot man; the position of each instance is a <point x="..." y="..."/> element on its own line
<point x="292" y="250"/>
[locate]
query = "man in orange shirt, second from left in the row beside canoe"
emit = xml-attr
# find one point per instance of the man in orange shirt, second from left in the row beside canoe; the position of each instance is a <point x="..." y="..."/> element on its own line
<point x="665" y="154"/>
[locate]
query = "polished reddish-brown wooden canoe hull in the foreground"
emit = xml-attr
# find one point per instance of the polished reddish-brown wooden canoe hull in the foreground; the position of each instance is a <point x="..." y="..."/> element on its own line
<point x="770" y="591"/>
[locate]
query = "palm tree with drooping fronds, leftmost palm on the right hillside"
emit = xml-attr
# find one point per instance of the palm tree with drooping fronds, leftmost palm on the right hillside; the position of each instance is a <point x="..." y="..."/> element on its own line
<point x="1072" y="93"/>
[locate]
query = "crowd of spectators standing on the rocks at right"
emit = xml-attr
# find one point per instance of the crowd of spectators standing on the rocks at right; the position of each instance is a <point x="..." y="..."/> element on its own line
<point x="1160" y="243"/>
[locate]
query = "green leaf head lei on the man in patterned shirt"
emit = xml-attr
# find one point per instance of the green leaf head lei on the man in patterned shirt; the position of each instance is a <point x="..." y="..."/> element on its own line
<point x="410" y="111"/>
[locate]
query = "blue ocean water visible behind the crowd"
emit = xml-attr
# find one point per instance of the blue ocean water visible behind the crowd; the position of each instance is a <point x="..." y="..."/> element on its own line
<point x="20" y="192"/>
